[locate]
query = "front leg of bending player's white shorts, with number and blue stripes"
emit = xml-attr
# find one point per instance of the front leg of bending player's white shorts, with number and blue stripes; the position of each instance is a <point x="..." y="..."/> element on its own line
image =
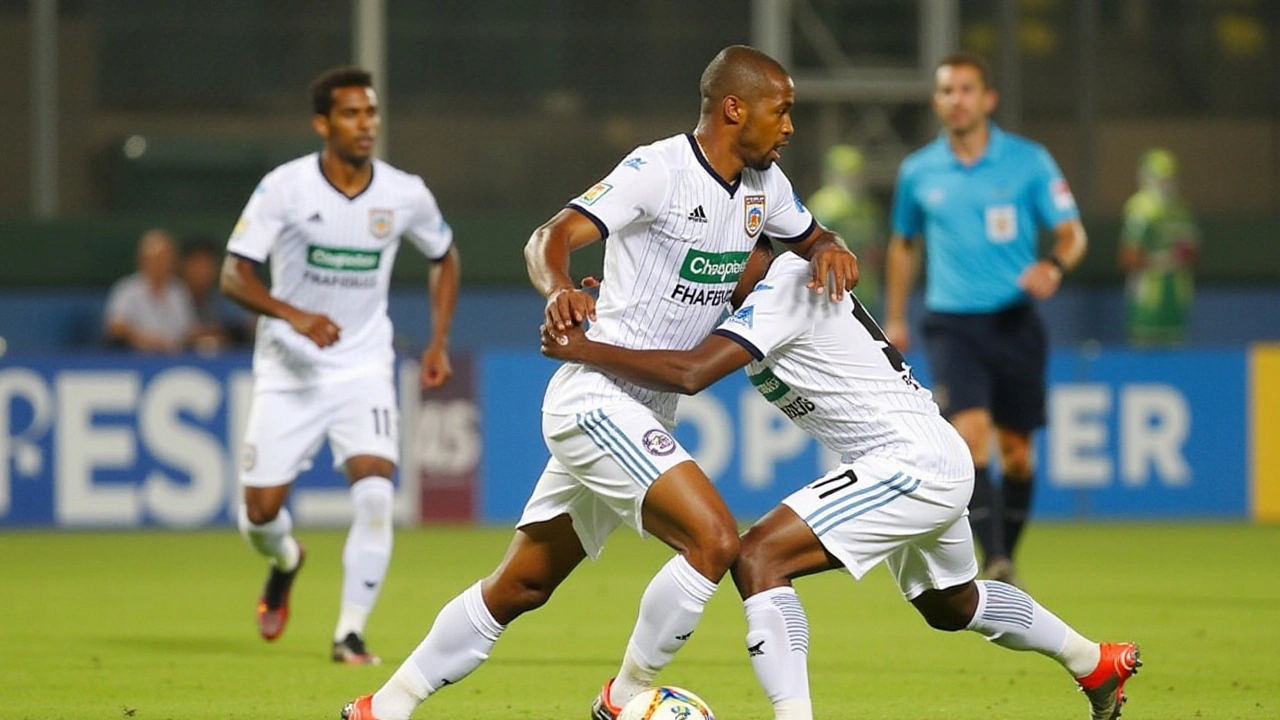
<point x="866" y="512"/>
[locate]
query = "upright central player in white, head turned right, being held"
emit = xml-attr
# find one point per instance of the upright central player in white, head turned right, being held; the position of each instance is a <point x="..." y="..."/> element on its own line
<point x="682" y="217"/>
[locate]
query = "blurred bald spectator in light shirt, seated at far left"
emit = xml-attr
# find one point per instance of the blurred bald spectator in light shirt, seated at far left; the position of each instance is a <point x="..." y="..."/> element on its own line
<point x="152" y="311"/>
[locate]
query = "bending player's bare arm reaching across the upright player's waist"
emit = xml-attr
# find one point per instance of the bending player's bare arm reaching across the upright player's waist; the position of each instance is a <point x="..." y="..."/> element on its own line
<point x="687" y="372"/>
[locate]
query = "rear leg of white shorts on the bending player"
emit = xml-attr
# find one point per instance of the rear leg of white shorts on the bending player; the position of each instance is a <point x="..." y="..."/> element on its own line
<point x="941" y="559"/>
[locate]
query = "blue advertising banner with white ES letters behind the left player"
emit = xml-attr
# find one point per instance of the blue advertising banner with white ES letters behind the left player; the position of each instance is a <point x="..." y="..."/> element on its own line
<point x="124" y="441"/>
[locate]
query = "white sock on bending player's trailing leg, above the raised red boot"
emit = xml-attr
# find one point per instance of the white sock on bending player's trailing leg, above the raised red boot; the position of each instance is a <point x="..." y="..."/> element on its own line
<point x="1011" y="618"/>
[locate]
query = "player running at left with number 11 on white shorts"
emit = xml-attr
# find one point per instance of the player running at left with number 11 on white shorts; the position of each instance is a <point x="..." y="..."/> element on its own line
<point x="331" y="225"/>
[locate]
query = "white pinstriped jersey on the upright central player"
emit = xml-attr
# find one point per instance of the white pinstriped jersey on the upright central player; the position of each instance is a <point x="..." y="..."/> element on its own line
<point x="676" y="238"/>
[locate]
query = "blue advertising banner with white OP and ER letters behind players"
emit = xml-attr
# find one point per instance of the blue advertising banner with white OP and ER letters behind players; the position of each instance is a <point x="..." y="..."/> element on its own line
<point x="1131" y="435"/>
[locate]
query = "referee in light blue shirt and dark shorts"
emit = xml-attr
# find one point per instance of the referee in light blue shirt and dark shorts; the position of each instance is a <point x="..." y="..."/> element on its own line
<point x="980" y="198"/>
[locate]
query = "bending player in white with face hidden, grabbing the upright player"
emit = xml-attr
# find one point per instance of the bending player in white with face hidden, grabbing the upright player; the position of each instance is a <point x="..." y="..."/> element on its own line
<point x="898" y="495"/>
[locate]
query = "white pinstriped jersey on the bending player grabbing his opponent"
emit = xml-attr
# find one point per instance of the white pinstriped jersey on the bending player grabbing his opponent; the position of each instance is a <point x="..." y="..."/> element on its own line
<point x="829" y="368"/>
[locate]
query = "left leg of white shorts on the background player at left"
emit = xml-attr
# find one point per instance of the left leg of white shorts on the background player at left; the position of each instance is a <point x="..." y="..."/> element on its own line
<point x="284" y="434"/>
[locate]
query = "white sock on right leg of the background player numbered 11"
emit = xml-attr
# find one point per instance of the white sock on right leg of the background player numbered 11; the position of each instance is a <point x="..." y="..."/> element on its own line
<point x="367" y="554"/>
